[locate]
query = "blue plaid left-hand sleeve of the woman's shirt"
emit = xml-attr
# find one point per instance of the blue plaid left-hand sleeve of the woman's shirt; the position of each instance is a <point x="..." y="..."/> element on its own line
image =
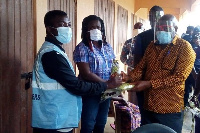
<point x="80" y="53"/>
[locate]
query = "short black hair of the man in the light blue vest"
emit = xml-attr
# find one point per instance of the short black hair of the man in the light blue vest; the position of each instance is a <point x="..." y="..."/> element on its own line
<point x="49" y="16"/>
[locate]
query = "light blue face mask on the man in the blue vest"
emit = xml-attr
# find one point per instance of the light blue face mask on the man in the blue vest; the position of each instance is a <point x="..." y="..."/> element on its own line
<point x="64" y="34"/>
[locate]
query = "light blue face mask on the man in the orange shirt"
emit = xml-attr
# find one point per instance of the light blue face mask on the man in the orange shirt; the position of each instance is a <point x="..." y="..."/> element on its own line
<point x="164" y="37"/>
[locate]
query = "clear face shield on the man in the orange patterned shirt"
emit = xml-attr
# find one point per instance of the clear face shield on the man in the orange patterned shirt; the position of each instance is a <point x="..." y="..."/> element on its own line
<point x="164" y="32"/>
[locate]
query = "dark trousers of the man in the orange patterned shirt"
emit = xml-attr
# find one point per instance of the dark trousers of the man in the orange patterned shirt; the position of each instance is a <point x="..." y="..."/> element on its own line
<point x="172" y="120"/>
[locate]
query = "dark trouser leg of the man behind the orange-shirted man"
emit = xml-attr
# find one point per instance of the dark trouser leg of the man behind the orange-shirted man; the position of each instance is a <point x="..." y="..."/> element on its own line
<point x="140" y="99"/>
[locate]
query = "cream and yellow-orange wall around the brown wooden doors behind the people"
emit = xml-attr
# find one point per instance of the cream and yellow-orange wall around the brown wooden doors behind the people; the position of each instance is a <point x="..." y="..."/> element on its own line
<point x="139" y="7"/>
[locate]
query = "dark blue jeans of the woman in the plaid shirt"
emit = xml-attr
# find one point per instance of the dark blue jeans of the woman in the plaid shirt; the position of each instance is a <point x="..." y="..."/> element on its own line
<point x="94" y="114"/>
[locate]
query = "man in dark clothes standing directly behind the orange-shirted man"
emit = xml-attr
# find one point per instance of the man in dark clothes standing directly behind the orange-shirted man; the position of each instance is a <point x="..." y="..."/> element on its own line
<point x="142" y="41"/>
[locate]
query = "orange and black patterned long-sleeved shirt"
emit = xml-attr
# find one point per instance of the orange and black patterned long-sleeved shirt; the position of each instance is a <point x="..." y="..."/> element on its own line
<point x="167" y="69"/>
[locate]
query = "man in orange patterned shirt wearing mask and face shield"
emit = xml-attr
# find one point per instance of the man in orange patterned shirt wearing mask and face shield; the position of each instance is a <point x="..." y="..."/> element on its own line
<point x="161" y="74"/>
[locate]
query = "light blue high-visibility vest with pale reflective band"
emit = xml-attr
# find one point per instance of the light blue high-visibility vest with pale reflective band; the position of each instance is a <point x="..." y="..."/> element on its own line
<point x="53" y="106"/>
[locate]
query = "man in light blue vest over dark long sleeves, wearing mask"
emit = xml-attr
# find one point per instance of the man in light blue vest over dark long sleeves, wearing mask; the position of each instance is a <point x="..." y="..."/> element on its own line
<point x="56" y="98"/>
